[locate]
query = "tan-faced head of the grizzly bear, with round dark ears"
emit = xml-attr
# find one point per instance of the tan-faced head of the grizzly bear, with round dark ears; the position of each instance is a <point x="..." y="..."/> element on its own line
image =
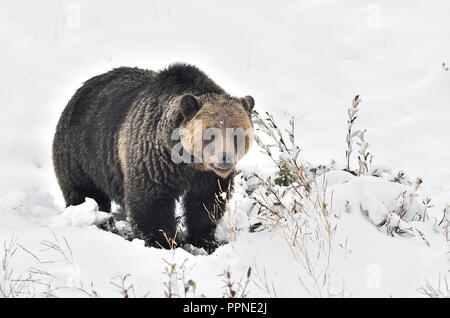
<point x="217" y="130"/>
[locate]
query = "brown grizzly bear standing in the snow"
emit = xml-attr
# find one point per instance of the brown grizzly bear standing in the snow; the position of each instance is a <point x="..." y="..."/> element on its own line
<point x="117" y="141"/>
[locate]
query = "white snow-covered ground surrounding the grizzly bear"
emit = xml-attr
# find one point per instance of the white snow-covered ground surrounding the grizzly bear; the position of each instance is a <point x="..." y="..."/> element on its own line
<point x="305" y="59"/>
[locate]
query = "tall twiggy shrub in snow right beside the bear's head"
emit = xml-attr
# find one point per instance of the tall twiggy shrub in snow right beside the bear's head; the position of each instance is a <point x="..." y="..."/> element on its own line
<point x="295" y="207"/>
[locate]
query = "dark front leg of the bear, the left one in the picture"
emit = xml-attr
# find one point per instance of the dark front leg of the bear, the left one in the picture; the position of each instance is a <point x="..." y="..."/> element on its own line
<point x="153" y="215"/>
